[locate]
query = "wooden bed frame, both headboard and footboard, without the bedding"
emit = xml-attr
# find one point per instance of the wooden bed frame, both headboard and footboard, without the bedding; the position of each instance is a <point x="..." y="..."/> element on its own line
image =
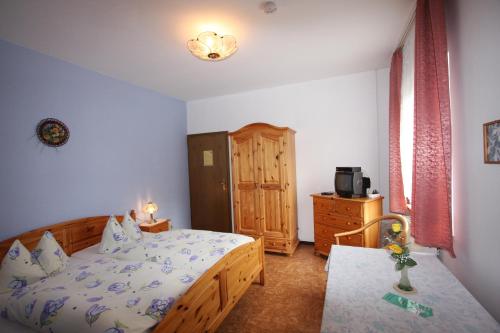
<point x="206" y="303"/>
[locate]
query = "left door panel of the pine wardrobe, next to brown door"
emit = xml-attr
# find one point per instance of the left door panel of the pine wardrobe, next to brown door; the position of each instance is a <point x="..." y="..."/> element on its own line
<point x="246" y="200"/>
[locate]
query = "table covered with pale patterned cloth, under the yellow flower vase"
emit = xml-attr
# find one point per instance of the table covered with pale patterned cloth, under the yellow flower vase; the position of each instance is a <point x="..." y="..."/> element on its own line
<point x="358" y="278"/>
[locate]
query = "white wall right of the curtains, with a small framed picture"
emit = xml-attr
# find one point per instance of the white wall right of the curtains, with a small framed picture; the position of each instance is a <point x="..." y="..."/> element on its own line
<point x="474" y="46"/>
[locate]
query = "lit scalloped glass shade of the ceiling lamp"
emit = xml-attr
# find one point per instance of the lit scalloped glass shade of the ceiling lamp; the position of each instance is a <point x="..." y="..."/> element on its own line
<point x="212" y="47"/>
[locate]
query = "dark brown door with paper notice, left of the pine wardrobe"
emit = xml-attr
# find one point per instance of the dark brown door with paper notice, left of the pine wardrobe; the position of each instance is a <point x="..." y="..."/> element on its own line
<point x="208" y="156"/>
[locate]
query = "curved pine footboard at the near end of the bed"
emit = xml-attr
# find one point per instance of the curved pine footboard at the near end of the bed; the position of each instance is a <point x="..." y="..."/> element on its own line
<point x="211" y="298"/>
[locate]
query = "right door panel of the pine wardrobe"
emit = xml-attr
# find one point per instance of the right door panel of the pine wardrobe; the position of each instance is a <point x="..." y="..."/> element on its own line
<point x="271" y="176"/>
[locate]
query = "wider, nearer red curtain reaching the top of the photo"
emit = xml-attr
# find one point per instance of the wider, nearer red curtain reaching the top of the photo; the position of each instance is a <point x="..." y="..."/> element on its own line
<point x="431" y="195"/>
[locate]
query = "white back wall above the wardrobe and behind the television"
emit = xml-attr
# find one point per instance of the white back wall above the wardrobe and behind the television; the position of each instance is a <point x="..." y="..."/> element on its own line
<point x="335" y="120"/>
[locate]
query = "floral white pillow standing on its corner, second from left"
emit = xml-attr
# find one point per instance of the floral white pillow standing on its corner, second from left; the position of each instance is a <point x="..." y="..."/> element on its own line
<point x="50" y="254"/>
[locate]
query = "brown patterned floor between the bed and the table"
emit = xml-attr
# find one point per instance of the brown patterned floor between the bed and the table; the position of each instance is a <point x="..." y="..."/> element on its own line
<point x="291" y="301"/>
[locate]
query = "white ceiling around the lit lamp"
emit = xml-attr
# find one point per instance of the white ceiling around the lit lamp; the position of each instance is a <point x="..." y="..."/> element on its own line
<point x="144" y="42"/>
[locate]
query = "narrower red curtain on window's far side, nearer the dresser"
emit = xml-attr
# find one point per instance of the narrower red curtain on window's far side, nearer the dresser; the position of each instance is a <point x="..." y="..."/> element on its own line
<point x="397" y="202"/>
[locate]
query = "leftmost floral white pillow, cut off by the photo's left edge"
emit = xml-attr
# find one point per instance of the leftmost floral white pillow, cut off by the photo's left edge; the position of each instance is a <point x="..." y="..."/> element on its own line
<point x="18" y="269"/>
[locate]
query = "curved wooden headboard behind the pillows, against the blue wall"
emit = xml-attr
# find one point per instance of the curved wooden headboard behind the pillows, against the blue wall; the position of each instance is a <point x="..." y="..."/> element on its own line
<point x="73" y="235"/>
